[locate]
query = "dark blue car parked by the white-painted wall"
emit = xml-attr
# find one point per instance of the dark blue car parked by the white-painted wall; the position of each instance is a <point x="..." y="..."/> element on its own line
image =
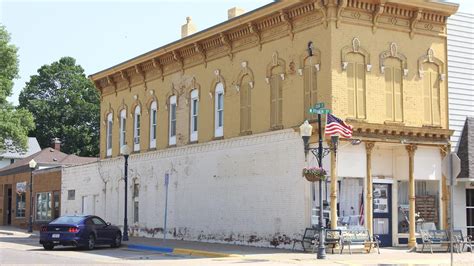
<point x="79" y="231"/>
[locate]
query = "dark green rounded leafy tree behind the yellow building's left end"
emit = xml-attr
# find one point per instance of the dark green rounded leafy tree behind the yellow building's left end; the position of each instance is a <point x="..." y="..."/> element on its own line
<point x="65" y="104"/>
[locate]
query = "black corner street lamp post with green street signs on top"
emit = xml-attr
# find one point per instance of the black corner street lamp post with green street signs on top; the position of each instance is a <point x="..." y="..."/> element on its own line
<point x="306" y="131"/>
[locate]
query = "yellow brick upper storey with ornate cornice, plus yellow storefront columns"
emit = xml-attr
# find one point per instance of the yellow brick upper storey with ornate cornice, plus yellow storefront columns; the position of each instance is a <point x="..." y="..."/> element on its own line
<point x="380" y="65"/>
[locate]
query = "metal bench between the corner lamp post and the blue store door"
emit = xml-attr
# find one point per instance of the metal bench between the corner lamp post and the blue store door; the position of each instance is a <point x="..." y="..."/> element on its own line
<point x="359" y="237"/>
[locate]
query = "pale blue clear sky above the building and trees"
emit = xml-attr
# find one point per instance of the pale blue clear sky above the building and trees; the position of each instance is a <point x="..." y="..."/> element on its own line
<point x="100" y="34"/>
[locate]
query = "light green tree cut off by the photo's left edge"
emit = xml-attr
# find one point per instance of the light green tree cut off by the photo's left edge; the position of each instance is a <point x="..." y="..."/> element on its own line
<point x="15" y="123"/>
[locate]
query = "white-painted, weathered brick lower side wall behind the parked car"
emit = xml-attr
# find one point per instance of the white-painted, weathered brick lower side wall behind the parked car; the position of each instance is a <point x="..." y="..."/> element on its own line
<point x="246" y="190"/>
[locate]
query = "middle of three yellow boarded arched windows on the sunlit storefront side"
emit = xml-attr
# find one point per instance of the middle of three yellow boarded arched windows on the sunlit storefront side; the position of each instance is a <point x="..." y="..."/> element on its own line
<point x="394" y="89"/>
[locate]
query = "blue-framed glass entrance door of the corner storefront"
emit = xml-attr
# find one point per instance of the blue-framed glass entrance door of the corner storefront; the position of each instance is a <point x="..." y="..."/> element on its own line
<point x="382" y="223"/>
